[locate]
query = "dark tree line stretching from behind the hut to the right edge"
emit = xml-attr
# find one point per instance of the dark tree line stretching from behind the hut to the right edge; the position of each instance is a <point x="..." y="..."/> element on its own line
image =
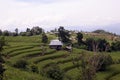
<point x="91" y="44"/>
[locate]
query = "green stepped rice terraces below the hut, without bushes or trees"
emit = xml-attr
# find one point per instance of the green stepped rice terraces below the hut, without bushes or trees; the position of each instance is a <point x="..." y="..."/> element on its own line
<point x="31" y="52"/>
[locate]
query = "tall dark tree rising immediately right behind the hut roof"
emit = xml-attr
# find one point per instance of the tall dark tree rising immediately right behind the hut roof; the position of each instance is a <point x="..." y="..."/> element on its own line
<point x="63" y="35"/>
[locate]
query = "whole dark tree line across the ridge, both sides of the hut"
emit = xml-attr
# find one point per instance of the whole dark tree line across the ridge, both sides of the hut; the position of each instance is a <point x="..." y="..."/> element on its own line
<point x="91" y="44"/>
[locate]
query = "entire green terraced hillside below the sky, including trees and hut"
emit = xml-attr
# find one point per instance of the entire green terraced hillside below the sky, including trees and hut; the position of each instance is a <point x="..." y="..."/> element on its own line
<point x="84" y="56"/>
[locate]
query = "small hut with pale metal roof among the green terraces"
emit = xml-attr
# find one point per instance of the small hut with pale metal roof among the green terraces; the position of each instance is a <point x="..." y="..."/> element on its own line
<point x="56" y="44"/>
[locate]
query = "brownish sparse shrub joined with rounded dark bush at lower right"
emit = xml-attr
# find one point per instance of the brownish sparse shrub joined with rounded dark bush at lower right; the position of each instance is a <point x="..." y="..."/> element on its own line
<point x="91" y="64"/>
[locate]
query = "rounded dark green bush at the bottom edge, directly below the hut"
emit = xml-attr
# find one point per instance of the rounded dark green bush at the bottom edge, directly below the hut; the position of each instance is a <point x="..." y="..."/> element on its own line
<point x="54" y="72"/>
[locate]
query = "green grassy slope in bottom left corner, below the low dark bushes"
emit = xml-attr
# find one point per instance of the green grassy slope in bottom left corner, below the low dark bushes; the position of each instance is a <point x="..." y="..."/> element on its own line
<point x="17" y="74"/>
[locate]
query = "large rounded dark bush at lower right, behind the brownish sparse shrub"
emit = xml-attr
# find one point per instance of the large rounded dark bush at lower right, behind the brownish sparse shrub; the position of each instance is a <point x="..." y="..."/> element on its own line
<point x="101" y="61"/>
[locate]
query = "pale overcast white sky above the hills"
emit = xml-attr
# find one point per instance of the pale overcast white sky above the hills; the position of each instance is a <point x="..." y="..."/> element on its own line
<point x="53" y="13"/>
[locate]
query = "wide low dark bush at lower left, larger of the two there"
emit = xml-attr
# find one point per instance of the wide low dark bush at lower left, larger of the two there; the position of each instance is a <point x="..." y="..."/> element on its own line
<point x="21" y="64"/>
